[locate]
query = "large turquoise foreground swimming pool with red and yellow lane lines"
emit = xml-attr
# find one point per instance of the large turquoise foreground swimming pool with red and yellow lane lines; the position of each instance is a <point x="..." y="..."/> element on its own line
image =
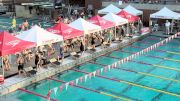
<point x="154" y="76"/>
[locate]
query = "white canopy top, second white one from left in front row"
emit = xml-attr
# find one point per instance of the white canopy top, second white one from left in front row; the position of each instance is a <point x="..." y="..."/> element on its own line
<point x="85" y="26"/>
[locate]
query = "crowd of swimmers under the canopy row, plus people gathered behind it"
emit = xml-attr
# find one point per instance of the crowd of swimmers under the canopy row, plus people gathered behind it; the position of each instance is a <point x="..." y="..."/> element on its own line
<point x="39" y="57"/>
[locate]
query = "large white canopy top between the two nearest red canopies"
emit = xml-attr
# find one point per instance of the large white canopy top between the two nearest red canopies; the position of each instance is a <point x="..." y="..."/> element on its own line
<point x="39" y="36"/>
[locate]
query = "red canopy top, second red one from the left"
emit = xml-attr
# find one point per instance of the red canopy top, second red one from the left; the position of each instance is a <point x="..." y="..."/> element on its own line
<point x="65" y="31"/>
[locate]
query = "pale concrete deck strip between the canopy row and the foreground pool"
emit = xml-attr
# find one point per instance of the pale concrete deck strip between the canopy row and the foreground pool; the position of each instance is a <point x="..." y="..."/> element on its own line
<point x="13" y="83"/>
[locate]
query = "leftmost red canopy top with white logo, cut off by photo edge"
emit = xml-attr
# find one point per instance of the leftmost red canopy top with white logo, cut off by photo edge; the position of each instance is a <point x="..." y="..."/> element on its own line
<point x="10" y="44"/>
